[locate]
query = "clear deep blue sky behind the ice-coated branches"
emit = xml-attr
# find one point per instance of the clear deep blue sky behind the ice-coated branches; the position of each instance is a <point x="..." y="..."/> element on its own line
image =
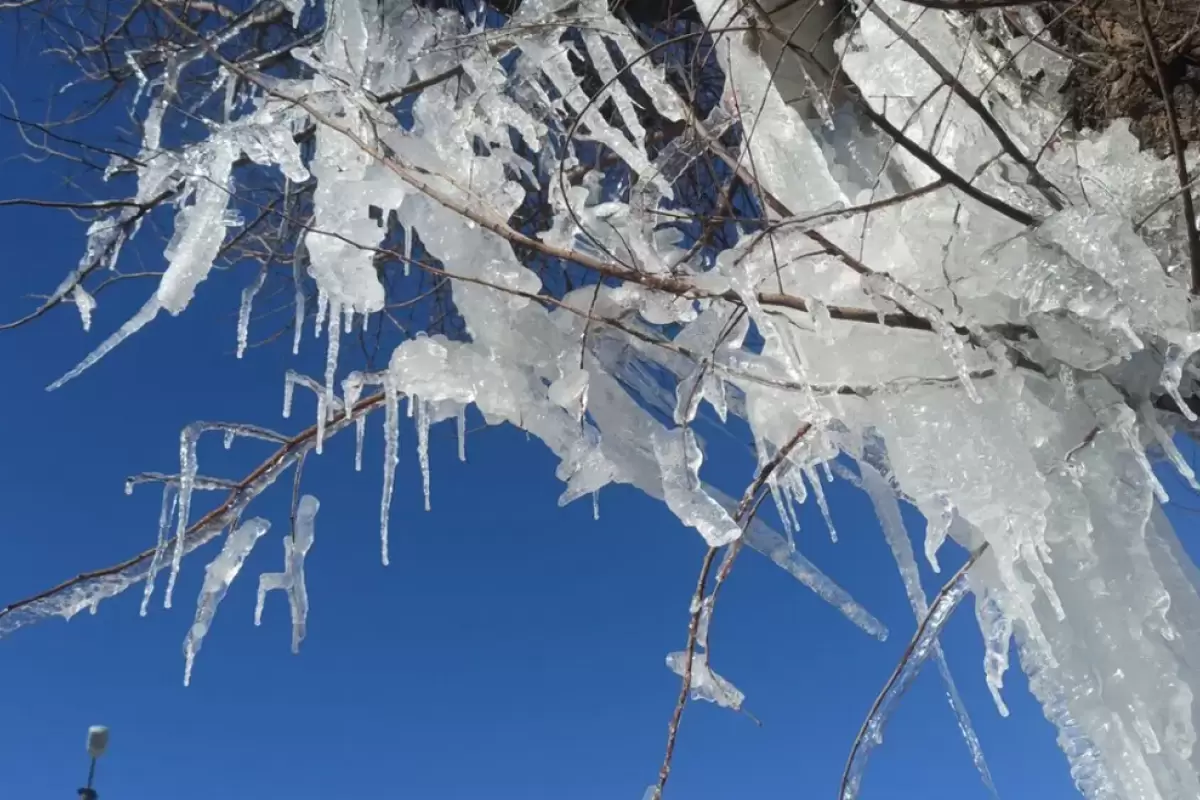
<point x="514" y="649"/>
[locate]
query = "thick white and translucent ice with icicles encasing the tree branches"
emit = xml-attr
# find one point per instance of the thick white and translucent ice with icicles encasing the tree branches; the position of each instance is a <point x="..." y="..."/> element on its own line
<point x="1001" y="350"/>
